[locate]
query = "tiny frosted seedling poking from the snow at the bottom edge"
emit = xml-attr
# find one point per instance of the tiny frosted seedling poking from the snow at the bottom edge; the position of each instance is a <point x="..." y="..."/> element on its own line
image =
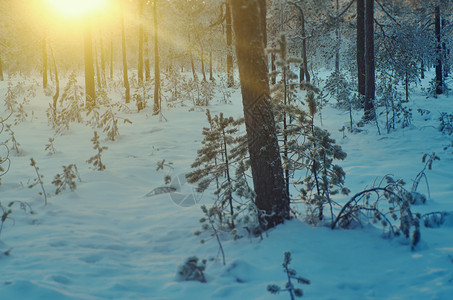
<point x="291" y="274"/>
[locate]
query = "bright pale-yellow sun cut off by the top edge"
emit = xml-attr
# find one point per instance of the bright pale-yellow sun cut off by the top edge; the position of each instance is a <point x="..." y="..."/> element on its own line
<point x="77" y="8"/>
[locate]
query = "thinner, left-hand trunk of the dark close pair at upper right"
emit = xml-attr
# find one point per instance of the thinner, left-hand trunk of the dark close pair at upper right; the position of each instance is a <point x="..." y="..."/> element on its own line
<point x="361" y="46"/>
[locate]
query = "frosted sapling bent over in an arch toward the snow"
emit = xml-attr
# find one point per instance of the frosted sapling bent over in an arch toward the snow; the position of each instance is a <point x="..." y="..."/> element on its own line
<point x="386" y="205"/>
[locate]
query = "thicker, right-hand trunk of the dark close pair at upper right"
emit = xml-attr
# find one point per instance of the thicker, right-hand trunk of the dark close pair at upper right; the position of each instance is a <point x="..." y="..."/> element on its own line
<point x="369" y="61"/>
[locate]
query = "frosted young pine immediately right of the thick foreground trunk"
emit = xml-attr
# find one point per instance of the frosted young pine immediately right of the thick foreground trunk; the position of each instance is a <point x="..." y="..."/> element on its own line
<point x="314" y="151"/>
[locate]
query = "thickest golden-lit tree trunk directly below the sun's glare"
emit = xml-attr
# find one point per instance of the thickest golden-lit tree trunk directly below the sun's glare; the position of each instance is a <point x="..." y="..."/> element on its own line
<point x="90" y="89"/>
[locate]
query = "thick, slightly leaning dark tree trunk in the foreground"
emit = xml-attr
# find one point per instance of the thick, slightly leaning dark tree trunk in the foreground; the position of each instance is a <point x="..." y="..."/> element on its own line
<point x="267" y="171"/>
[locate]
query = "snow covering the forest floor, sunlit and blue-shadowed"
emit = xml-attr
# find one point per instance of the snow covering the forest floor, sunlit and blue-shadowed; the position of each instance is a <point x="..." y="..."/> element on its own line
<point x="114" y="238"/>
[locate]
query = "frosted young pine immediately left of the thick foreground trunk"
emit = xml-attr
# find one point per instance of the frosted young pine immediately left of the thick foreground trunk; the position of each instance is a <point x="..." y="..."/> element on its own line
<point x="218" y="160"/>
